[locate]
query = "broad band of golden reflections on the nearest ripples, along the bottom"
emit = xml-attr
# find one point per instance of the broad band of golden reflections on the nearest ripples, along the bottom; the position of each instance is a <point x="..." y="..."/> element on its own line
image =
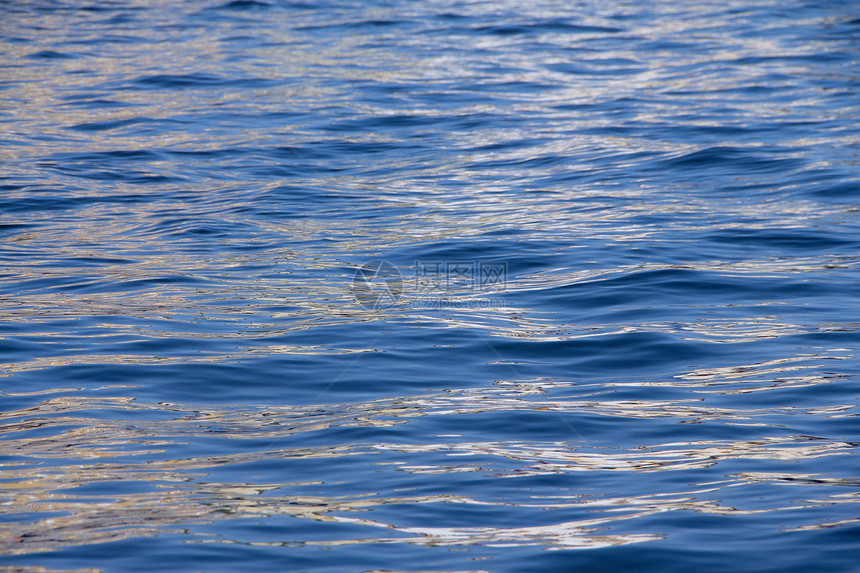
<point x="98" y="439"/>
